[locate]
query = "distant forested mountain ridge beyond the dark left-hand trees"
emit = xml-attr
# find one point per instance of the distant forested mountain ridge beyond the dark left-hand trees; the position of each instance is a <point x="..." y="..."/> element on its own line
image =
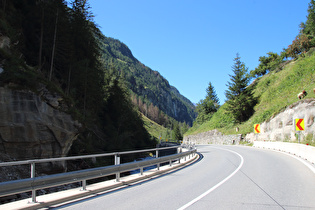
<point x="149" y="86"/>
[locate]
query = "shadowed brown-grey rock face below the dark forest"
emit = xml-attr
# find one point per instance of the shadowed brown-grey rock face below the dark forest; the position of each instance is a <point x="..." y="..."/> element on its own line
<point x="32" y="128"/>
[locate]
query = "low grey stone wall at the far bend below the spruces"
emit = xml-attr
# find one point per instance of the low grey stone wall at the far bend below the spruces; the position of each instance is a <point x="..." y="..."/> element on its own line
<point x="212" y="137"/>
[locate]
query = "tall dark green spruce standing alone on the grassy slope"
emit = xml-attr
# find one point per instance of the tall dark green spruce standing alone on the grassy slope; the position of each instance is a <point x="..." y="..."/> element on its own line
<point x="240" y="99"/>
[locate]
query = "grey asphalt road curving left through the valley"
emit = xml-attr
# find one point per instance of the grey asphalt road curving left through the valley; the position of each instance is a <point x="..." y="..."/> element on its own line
<point x="225" y="177"/>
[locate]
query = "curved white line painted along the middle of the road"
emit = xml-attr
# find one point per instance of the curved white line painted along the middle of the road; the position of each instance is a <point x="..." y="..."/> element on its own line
<point x="217" y="185"/>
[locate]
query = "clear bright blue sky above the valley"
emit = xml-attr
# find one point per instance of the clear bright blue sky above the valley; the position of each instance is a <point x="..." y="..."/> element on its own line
<point x="194" y="42"/>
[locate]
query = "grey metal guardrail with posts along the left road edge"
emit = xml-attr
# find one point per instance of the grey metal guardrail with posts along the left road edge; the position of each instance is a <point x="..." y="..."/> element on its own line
<point x="42" y="182"/>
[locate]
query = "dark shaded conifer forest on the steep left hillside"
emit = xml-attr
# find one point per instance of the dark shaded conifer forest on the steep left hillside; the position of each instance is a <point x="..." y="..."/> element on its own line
<point x="57" y="44"/>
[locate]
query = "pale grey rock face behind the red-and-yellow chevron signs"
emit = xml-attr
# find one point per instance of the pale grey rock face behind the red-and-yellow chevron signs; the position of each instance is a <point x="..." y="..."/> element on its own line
<point x="282" y="126"/>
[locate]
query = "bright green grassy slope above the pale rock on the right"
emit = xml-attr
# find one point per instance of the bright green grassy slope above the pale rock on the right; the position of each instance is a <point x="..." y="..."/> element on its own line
<point x="275" y="91"/>
